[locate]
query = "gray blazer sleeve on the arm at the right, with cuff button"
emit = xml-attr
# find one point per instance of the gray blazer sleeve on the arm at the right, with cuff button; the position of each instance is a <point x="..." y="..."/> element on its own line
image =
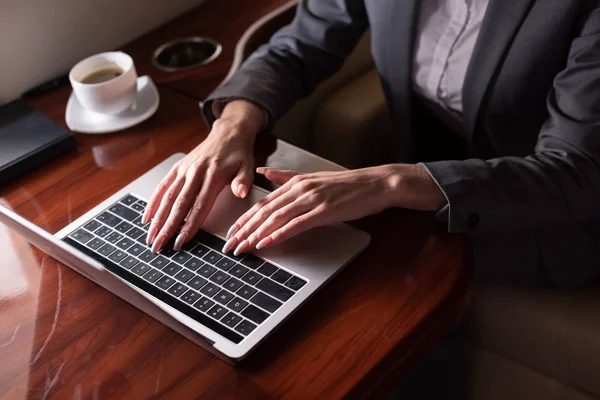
<point x="560" y="181"/>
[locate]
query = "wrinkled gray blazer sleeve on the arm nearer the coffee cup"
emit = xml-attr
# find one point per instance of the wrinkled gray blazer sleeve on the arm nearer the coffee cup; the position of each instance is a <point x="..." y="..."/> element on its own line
<point x="297" y="58"/>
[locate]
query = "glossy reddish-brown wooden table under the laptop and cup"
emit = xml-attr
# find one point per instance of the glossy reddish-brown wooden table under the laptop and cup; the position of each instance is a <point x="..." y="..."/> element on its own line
<point x="63" y="336"/>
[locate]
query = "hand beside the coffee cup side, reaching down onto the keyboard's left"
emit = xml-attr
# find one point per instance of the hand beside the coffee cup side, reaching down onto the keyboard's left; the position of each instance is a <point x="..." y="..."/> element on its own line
<point x="186" y="195"/>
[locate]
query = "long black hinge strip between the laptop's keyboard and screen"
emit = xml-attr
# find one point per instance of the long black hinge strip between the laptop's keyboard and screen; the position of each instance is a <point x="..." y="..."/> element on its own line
<point x="159" y="294"/>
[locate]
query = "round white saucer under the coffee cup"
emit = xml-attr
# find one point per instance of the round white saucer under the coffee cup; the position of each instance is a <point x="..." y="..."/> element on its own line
<point x="82" y="120"/>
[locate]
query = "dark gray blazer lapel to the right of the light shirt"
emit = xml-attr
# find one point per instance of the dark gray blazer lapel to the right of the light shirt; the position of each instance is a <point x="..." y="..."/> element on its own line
<point x="499" y="27"/>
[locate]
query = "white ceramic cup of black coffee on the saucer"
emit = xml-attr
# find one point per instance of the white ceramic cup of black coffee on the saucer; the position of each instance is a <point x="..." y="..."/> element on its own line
<point x="109" y="97"/>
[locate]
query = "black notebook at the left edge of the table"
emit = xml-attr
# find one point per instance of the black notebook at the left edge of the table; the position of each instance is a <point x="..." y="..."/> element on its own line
<point x="28" y="139"/>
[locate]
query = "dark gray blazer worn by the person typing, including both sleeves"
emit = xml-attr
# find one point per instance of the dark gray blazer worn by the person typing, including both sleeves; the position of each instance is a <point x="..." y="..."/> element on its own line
<point x="530" y="191"/>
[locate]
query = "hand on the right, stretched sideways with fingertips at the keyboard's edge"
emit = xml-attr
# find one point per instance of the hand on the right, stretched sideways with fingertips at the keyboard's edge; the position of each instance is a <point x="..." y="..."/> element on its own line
<point x="305" y="201"/>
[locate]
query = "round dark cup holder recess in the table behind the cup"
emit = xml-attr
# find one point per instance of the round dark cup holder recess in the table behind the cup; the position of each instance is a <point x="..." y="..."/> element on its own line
<point x="186" y="53"/>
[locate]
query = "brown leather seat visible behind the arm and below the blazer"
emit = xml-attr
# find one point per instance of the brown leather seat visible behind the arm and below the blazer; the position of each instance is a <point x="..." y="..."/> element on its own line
<point x="517" y="343"/>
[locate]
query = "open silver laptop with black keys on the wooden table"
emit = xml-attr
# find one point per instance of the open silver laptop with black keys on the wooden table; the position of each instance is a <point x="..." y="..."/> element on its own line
<point x="226" y="304"/>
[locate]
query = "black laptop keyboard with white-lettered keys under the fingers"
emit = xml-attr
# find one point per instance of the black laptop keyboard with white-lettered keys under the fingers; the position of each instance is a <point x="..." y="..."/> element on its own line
<point x="230" y="295"/>
